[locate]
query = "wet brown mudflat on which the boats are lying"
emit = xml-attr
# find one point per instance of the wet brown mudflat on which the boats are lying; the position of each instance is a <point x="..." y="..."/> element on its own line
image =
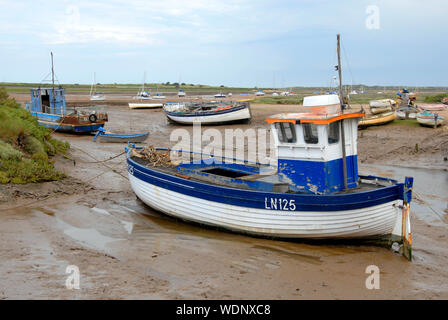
<point x="125" y="250"/>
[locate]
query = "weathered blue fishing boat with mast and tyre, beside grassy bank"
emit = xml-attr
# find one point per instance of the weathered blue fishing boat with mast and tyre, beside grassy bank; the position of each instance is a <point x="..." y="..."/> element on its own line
<point x="48" y="104"/>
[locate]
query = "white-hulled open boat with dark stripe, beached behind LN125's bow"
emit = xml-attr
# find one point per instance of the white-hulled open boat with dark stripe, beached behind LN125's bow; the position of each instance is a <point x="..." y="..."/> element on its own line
<point x="208" y="112"/>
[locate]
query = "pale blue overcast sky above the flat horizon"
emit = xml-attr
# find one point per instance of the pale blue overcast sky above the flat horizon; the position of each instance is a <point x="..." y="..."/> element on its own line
<point x="236" y="42"/>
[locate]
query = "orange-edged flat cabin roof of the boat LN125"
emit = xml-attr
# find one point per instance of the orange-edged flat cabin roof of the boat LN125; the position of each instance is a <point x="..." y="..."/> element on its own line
<point x="316" y="118"/>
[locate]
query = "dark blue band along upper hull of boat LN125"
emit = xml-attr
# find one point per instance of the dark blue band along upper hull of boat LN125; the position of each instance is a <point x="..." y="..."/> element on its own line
<point x="258" y="199"/>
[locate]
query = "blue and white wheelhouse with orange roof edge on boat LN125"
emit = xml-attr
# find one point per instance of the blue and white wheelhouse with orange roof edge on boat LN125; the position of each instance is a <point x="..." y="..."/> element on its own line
<point x="310" y="153"/>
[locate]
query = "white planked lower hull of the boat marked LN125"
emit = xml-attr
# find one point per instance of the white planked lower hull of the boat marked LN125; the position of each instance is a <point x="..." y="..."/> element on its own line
<point x="384" y="219"/>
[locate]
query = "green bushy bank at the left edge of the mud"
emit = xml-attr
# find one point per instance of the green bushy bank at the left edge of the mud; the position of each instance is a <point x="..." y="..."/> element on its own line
<point x="25" y="146"/>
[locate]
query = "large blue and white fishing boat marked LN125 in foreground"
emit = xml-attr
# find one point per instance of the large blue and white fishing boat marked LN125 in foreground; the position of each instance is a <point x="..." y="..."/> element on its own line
<point x="314" y="191"/>
